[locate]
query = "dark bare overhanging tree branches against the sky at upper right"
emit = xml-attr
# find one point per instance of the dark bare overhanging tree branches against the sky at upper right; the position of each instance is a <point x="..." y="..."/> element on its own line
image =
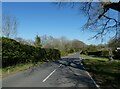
<point x="98" y="16"/>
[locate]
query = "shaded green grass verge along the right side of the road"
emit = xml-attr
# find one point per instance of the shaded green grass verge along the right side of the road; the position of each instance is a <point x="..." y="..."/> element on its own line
<point x="105" y="73"/>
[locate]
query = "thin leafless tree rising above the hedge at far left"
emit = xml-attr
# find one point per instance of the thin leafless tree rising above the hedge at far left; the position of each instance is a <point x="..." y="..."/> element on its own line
<point x="9" y="26"/>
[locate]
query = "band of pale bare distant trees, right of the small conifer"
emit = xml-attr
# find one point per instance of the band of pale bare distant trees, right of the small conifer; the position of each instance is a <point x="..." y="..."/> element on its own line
<point x="62" y="43"/>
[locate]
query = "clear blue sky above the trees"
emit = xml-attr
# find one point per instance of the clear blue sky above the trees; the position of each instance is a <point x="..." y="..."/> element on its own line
<point x="45" y="18"/>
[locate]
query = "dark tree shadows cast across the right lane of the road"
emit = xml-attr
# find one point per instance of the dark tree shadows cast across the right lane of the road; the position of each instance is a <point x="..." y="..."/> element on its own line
<point x="81" y="78"/>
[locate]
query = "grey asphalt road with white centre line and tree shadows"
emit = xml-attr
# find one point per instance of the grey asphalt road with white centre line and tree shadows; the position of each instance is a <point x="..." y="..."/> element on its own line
<point x="66" y="72"/>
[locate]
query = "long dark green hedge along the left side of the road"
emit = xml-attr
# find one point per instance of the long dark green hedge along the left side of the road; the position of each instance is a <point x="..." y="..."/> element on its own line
<point x="14" y="53"/>
